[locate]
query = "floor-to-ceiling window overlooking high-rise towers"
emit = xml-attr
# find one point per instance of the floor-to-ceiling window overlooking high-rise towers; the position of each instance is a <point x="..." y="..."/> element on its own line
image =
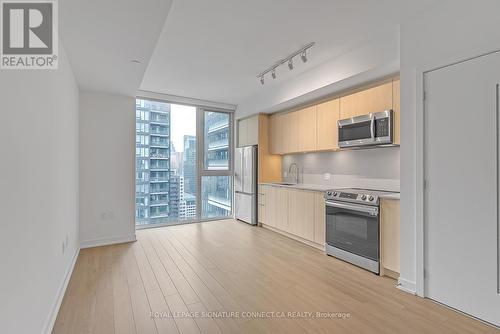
<point x="179" y="150"/>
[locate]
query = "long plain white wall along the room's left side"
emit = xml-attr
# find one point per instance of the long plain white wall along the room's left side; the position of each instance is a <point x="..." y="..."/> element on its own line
<point x="39" y="193"/>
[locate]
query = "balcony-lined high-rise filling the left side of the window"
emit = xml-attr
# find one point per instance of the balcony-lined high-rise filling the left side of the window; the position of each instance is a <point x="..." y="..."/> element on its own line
<point x="152" y="161"/>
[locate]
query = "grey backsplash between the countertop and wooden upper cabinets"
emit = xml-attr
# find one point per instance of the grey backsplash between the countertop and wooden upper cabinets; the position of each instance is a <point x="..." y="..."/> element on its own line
<point x="376" y="168"/>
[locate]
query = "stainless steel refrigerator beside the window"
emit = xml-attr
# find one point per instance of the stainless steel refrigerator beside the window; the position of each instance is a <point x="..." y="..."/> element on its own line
<point x="245" y="184"/>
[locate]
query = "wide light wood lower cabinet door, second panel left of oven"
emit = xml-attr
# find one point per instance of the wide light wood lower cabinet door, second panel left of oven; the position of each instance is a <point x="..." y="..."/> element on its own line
<point x="301" y="213"/>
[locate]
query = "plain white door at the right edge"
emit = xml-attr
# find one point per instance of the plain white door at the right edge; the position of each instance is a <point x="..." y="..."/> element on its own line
<point x="461" y="199"/>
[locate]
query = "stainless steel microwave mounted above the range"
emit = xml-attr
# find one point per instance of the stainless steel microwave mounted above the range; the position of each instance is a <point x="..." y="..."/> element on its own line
<point x="367" y="130"/>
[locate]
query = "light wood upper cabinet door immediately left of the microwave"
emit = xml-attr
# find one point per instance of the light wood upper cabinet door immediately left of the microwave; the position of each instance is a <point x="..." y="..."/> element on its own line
<point x="327" y="115"/>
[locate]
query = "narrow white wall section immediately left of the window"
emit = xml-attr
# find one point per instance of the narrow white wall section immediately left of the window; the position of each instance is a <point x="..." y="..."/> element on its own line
<point x="107" y="168"/>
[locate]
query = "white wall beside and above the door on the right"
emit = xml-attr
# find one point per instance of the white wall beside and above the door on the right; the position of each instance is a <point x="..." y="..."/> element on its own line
<point x="450" y="32"/>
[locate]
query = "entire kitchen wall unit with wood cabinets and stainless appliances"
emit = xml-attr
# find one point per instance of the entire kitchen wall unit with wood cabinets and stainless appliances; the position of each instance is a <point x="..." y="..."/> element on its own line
<point x="309" y="157"/>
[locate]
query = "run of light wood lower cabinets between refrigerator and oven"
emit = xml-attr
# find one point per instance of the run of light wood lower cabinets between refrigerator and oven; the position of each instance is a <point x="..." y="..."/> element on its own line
<point x="296" y="213"/>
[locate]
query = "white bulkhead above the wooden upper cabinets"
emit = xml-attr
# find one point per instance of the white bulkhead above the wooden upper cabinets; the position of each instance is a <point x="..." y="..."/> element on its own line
<point x="373" y="60"/>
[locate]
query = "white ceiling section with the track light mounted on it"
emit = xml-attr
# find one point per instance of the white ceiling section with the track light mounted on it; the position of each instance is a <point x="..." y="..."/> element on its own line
<point x="214" y="49"/>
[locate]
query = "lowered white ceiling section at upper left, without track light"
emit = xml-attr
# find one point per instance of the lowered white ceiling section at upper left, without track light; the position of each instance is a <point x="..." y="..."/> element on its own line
<point x="102" y="37"/>
